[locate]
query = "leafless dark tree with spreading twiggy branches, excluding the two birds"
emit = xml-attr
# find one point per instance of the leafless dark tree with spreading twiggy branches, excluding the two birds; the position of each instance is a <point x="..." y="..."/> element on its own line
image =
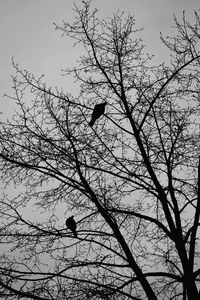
<point x="131" y="181"/>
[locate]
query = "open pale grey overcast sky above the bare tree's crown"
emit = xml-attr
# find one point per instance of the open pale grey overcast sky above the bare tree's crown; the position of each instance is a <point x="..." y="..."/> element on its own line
<point x="27" y="32"/>
